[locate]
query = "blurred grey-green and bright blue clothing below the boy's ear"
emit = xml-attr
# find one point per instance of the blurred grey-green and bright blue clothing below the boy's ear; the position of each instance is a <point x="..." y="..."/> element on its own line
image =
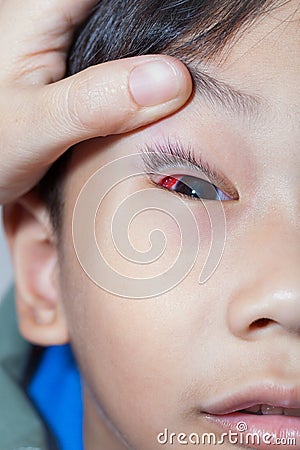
<point x="40" y="394"/>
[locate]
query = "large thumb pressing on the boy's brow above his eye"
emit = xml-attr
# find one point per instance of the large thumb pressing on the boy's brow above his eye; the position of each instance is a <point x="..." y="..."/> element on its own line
<point x="39" y="123"/>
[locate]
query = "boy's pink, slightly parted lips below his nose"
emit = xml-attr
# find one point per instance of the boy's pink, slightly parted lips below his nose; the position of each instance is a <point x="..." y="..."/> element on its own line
<point x="226" y="415"/>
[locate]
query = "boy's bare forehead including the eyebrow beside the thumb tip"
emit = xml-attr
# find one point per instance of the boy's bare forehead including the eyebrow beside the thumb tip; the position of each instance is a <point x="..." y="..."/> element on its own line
<point x="259" y="68"/>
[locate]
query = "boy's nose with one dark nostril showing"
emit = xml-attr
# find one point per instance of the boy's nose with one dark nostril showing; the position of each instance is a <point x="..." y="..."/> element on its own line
<point x="268" y="294"/>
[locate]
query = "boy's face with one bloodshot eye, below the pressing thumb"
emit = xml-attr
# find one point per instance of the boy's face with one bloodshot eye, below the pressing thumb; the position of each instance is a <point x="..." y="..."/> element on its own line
<point x="165" y="362"/>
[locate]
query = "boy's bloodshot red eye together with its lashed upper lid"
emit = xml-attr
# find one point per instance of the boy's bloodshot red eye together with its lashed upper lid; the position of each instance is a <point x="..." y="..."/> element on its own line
<point x="171" y="155"/>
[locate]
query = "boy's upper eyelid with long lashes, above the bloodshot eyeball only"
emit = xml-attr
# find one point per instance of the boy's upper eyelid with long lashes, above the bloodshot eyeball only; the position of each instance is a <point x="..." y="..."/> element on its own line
<point x="172" y="154"/>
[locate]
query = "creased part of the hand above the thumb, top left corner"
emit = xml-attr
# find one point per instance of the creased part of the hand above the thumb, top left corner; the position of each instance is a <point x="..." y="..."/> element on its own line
<point x="41" y="33"/>
